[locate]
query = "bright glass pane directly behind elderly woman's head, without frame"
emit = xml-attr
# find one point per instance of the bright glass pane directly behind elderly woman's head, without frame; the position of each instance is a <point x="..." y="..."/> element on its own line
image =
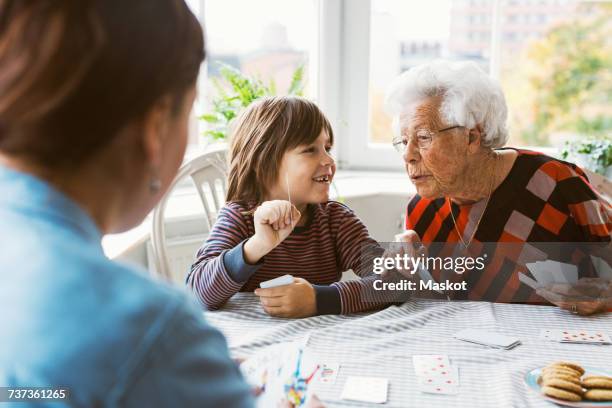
<point x="405" y="34"/>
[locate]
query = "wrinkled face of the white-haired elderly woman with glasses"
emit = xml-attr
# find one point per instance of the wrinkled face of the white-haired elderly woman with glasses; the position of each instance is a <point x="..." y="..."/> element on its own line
<point x="438" y="169"/>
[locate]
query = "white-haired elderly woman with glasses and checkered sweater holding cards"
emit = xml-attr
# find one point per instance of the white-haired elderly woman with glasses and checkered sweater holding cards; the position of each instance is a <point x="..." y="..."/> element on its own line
<point x="451" y="123"/>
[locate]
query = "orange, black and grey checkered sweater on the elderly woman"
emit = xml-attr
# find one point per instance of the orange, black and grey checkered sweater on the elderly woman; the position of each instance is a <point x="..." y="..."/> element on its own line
<point x="542" y="200"/>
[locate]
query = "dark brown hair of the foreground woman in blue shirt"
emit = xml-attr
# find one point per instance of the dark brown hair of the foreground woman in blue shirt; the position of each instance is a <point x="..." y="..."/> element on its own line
<point x="73" y="73"/>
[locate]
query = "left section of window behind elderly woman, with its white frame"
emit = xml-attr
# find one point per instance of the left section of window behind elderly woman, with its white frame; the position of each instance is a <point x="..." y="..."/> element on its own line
<point x="401" y="36"/>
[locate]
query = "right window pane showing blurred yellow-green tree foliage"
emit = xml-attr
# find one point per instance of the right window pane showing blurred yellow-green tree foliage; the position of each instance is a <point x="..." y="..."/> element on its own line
<point x="556" y="70"/>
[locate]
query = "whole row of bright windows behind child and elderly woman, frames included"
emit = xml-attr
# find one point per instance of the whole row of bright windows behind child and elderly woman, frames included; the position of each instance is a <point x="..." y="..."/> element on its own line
<point x="352" y="49"/>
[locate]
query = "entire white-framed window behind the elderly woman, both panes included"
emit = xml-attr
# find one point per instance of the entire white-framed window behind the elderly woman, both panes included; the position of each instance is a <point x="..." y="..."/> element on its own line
<point x="543" y="68"/>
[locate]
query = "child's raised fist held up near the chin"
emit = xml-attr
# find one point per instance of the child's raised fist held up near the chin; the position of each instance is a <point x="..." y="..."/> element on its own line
<point x="273" y="223"/>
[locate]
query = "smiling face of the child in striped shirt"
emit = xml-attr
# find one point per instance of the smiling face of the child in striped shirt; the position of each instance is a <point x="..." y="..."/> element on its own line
<point x="309" y="170"/>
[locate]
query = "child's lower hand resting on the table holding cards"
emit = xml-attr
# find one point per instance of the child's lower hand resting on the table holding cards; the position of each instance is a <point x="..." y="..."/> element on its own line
<point x="297" y="299"/>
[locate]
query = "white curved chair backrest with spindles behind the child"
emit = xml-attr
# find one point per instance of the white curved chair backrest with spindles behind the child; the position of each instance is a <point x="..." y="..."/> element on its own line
<point x="209" y="175"/>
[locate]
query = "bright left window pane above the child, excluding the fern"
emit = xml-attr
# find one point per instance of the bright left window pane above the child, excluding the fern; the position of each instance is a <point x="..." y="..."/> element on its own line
<point x="268" y="40"/>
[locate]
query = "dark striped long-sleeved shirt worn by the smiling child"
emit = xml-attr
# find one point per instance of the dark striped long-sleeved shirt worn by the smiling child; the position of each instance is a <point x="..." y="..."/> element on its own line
<point x="330" y="243"/>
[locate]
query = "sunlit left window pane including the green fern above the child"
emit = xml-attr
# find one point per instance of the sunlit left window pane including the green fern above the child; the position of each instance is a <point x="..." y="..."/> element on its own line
<point x="253" y="52"/>
